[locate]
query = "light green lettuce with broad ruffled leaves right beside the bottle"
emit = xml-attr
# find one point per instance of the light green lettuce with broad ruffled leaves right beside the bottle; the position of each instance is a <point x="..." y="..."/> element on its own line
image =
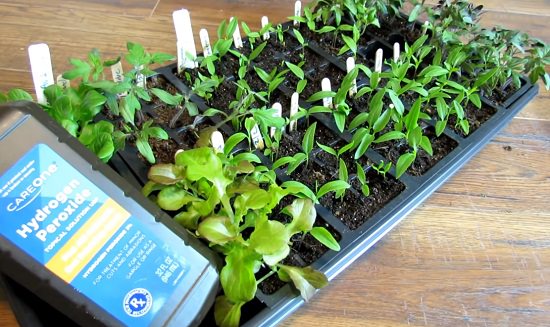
<point x="218" y="196"/>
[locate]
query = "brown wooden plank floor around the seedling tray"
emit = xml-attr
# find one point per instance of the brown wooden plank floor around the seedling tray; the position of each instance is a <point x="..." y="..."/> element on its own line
<point x="476" y="253"/>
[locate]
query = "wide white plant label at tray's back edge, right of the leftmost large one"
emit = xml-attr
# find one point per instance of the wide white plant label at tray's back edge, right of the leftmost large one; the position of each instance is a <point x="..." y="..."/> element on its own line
<point x="187" y="53"/>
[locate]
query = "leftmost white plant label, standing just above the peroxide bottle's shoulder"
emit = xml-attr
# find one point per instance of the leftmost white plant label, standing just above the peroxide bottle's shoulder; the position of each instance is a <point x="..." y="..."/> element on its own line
<point x="41" y="67"/>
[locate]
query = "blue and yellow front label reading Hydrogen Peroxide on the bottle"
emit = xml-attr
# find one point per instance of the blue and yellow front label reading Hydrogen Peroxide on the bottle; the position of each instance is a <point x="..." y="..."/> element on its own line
<point x="65" y="222"/>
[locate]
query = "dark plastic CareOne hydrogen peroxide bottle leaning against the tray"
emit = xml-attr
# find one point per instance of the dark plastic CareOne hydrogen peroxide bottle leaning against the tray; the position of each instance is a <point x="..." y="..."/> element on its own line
<point x="76" y="234"/>
